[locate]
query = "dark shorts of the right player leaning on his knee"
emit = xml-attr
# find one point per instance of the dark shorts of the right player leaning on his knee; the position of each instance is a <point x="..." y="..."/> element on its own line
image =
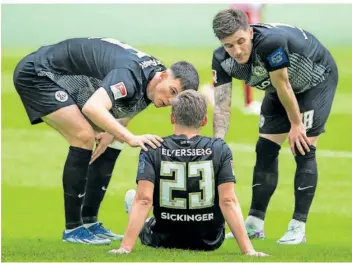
<point x="314" y="104"/>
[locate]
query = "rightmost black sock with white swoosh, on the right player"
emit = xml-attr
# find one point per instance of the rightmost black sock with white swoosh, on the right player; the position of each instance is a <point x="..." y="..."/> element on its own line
<point x="306" y="179"/>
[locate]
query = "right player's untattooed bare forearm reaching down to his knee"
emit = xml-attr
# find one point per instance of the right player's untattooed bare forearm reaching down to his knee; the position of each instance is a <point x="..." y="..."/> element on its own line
<point x="289" y="101"/>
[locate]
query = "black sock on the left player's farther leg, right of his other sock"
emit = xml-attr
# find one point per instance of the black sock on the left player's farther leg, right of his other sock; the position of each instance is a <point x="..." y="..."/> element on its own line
<point x="99" y="175"/>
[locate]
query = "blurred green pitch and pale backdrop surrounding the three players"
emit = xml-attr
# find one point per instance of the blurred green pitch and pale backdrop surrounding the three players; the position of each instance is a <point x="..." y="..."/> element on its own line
<point x="33" y="156"/>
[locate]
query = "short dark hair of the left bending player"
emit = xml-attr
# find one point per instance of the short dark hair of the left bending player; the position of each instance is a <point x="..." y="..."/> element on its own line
<point x="187" y="74"/>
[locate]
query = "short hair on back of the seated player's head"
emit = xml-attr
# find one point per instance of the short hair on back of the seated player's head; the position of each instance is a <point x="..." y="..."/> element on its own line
<point x="189" y="109"/>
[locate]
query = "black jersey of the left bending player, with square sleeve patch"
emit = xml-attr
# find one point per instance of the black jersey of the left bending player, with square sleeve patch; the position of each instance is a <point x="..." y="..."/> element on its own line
<point x="82" y="65"/>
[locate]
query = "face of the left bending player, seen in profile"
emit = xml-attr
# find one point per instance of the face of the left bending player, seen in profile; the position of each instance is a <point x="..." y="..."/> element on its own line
<point x="166" y="91"/>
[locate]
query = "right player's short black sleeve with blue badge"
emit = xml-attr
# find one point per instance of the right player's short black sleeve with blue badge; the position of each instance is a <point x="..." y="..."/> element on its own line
<point x="273" y="51"/>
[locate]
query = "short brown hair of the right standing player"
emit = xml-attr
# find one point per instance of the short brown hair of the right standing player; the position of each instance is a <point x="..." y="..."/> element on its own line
<point x="229" y="21"/>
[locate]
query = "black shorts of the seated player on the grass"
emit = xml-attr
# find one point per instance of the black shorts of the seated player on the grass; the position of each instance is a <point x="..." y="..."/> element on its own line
<point x="169" y="240"/>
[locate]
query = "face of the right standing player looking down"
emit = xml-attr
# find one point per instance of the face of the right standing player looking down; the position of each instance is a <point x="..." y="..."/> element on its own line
<point x="239" y="45"/>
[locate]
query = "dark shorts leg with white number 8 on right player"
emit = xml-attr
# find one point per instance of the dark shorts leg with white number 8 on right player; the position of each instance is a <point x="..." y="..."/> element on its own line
<point x="315" y="106"/>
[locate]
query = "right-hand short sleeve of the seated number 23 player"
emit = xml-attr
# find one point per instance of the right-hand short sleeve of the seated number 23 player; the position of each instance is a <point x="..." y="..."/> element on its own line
<point x="226" y="172"/>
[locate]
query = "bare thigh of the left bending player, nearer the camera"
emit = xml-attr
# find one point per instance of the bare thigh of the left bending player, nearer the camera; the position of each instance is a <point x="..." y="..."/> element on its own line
<point x="70" y="122"/>
